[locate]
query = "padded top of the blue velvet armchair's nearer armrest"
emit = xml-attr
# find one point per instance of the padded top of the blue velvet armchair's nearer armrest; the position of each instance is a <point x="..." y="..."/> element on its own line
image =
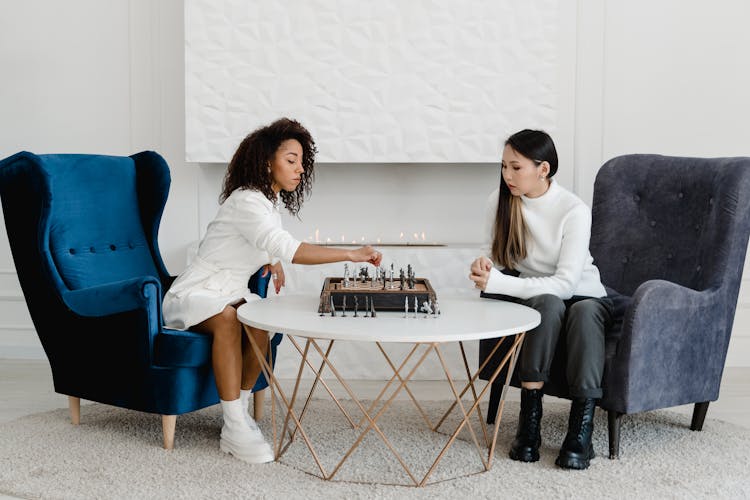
<point x="112" y="298"/>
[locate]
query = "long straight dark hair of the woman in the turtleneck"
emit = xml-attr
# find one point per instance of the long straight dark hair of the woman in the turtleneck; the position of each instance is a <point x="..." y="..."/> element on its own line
<point x="509" y="232"/>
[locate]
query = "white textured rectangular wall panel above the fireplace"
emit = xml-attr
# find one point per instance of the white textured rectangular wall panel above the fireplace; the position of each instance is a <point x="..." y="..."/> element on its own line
<point x="385" y="81"/>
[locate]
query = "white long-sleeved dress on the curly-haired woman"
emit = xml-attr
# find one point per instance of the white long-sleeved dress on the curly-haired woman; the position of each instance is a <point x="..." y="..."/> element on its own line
<point x="245" y="235"/>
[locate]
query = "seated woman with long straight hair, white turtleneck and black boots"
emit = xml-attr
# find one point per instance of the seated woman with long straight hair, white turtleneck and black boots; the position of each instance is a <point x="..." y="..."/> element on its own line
<point x="540" y="257"/>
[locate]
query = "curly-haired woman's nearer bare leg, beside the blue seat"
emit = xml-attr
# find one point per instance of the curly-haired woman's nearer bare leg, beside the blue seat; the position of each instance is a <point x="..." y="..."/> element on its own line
<point x="226" y="351"/>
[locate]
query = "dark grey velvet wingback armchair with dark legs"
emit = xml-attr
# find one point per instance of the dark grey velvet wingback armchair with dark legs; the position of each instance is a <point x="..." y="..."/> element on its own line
<point x="669" y="236"/>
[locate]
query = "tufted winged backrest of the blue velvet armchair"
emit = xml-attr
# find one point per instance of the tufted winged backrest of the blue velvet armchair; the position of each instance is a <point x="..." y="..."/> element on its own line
<point x="97" y="218"/>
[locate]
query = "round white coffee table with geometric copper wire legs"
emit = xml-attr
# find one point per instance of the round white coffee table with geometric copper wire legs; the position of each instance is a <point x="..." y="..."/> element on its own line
<point x="461" y="319"/>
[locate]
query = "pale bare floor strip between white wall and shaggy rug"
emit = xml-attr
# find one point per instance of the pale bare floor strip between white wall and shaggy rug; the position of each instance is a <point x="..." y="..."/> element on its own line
<point x="26" y="388"/>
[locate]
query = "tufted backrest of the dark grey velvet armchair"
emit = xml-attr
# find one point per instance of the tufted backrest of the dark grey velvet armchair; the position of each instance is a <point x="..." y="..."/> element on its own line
<point x="684" y="220"/>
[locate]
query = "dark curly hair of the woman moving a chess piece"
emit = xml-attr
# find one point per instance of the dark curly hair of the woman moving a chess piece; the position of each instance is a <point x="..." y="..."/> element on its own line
<point x="249" y="166"/>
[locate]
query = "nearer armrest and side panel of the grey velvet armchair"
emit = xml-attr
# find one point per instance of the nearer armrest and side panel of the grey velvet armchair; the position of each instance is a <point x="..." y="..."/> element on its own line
<point x="671" y="351"/>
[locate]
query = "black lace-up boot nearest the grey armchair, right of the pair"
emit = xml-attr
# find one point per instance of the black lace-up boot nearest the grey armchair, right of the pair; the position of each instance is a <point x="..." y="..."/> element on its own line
<point x="577" y="449"/>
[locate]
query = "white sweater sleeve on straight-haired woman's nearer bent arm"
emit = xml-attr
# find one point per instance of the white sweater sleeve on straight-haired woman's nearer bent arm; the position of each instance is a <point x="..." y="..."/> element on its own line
<point x="574" y="251"/>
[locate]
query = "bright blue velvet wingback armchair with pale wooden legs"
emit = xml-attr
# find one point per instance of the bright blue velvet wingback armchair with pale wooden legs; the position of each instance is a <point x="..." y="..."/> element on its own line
<point x="83" y="234"/>
